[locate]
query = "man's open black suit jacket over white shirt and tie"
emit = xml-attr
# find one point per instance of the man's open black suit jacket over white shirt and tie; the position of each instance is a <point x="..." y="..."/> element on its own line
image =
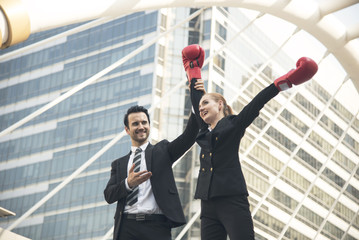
<point x="159" y="160"/>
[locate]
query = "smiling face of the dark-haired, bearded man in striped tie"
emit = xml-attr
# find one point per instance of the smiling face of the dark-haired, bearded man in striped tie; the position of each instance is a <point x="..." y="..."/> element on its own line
<point x="138" y="128"/>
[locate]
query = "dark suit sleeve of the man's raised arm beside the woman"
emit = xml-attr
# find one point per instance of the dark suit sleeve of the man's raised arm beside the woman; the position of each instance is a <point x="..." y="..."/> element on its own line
<point x="183" y="142"/>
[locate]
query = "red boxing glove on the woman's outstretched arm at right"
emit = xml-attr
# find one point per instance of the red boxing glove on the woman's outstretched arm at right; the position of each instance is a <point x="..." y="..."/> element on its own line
<point x="306" y="68"/>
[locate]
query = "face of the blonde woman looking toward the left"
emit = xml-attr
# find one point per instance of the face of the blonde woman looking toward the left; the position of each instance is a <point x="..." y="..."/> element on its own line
<point x="209" y="109"/>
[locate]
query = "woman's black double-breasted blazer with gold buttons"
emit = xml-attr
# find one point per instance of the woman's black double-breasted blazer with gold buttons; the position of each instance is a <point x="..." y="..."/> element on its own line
<point x="220" y="171"/>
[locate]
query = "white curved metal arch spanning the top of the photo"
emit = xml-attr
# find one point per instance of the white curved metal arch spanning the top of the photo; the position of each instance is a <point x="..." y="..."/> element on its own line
<point x="315" y="17"/>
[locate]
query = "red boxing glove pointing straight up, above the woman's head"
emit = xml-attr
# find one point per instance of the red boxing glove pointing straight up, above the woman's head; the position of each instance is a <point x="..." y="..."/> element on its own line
<point x="193" y="58"/>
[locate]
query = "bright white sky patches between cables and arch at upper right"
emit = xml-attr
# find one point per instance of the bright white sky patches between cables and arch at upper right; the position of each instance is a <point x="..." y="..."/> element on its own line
<point x="330" y="73"/>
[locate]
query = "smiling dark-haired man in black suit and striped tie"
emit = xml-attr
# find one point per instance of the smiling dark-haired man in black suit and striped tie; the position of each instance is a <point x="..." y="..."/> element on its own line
<point x="142" y="182"/>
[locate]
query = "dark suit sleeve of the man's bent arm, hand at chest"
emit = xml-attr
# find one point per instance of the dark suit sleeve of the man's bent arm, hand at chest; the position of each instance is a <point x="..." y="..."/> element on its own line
<point x="115" y="190"/>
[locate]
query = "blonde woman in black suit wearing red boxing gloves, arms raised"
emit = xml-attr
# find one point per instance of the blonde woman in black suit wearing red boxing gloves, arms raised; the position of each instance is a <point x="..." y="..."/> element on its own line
<point x="221" y="185"/>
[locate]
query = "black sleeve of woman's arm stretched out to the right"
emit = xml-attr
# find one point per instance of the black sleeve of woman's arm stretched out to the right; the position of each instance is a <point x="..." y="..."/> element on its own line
<point x="251" y="110"/>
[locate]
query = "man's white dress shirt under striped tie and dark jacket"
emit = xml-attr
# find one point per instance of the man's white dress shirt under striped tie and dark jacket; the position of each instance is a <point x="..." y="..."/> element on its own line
<point x="146" y="202"/>
